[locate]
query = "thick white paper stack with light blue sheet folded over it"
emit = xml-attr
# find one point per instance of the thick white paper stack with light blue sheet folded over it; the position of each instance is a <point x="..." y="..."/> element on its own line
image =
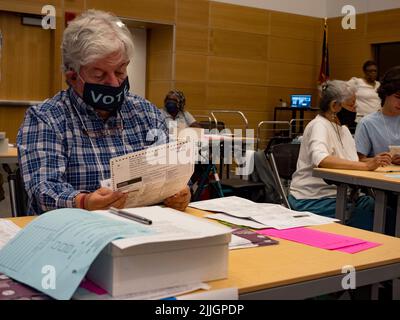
<point x="54" y="252"/>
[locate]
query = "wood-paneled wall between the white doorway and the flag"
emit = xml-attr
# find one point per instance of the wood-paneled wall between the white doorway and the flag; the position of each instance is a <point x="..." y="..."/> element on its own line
<point x="241" y="58"/>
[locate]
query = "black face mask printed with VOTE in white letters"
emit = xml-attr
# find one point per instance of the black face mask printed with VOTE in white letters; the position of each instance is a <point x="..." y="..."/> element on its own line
<point x="106" y="98"/>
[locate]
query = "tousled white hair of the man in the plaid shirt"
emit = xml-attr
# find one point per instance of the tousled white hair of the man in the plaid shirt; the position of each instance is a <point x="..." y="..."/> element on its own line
<point x="93" y="35"/>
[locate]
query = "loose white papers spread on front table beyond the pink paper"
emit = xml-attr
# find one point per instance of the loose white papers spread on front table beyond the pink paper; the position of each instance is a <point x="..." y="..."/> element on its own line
<point x="244" y="212"/>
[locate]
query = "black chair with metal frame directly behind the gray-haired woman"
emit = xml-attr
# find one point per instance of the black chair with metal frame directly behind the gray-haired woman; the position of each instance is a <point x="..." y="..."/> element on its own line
<point x="283" y="160"/>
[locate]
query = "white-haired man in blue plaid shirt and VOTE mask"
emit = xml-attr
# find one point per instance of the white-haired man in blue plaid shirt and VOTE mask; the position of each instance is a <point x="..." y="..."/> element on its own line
<point x="65" y="144"/>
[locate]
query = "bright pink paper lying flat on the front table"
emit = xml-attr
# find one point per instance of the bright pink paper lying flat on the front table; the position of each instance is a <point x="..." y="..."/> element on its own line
<point x="321" y="239"/>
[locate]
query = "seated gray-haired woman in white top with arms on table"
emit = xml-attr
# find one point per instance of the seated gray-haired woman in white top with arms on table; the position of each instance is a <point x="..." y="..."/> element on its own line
<point x="328" y="144"/>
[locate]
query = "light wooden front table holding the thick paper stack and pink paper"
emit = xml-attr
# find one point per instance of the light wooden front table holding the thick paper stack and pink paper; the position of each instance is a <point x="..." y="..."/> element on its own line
<point x="291" y="270"/>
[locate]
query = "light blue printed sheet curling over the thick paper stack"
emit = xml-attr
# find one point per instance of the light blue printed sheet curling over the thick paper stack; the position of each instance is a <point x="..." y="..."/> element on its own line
<point x="53" y="253"/>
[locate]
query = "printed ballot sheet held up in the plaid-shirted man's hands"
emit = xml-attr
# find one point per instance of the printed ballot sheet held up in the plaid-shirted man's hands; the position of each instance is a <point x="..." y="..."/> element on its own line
<point x="151" y="175"/>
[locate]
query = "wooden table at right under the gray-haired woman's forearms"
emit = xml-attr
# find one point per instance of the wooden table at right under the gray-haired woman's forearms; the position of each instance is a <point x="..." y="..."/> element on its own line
<point x="378" y="180"/>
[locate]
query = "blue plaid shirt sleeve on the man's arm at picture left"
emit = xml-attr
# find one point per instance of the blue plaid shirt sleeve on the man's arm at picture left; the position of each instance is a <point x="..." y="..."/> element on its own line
<point x="42" y="159"/>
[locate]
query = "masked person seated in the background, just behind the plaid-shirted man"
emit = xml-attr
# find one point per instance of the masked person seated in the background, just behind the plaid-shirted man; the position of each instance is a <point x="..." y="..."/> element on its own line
<point x="174" y="110"/>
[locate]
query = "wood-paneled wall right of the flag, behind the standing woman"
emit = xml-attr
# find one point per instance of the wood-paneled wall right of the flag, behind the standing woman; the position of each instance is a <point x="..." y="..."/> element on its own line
<point x="349" y="49"/>
